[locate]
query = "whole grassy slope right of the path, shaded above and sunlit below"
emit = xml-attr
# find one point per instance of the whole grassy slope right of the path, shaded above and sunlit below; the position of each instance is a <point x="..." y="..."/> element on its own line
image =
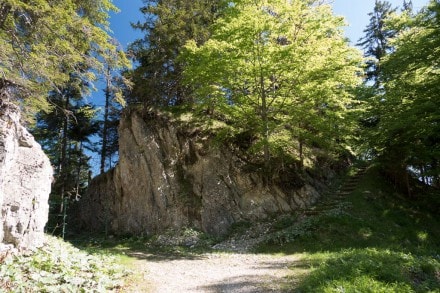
<point x="375" y="241"/>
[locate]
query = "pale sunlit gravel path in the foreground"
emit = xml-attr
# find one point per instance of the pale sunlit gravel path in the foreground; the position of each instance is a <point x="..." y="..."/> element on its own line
<point x="212" y="272"/>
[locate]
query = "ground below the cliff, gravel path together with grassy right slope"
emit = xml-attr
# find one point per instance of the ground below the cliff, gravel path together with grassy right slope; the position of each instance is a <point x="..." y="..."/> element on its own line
<point x="362" y="237"/>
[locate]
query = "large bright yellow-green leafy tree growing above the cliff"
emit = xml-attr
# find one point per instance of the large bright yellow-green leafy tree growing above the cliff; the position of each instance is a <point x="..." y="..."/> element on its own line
<point x="280" y="70"/>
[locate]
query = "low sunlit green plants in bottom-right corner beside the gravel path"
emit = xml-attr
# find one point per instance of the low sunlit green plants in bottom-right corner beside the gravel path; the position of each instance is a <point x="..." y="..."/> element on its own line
<point x="370" y="270"/>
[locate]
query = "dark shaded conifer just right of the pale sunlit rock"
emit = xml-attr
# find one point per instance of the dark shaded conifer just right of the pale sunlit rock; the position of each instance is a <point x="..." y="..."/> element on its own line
<point x="64" y="134"/>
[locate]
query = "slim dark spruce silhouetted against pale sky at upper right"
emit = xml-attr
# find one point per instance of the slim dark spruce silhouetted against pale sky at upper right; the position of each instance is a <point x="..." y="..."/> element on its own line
<point x="376" y="43"/>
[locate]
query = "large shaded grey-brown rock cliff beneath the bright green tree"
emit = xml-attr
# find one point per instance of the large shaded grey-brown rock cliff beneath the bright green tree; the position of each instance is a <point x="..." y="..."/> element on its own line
<point x="170" y="177"/>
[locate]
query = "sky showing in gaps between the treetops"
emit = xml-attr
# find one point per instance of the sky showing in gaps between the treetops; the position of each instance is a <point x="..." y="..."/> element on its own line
<point x="355" y="12"/>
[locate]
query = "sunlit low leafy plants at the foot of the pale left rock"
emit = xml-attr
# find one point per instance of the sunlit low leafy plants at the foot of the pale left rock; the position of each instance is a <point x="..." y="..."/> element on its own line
<point x="59" y="267"/>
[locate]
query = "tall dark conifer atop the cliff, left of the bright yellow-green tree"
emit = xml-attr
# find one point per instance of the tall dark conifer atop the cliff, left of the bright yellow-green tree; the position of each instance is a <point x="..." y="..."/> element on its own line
<point x="169" y="24"/>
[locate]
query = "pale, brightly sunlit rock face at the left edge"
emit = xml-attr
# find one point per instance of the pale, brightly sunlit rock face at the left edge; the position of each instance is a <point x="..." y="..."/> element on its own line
<point x="25" y="182"/>
